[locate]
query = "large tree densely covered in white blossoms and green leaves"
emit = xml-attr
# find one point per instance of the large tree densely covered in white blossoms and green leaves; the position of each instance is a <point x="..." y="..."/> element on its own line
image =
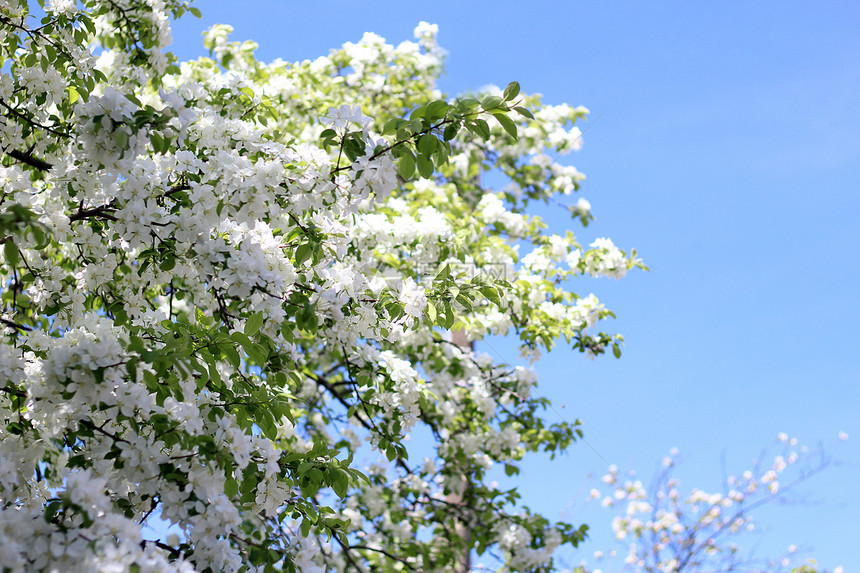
<point x="224" y="281"/>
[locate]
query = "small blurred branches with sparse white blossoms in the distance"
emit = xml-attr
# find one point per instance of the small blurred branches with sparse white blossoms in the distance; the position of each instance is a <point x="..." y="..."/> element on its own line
<point x="665" y="531"/>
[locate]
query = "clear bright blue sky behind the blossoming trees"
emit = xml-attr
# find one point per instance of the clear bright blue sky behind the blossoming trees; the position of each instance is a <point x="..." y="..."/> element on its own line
<point x="724" y="144"/>
